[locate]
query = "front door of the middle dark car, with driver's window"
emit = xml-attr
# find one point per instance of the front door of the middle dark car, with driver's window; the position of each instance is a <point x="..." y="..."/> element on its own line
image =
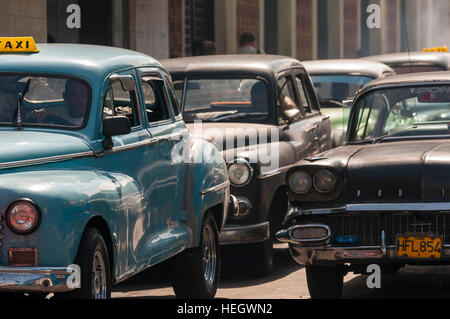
<point x="299" y="131"/>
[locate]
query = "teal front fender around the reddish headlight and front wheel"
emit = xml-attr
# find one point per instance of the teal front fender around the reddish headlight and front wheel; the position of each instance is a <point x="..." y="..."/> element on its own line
<point x="67" y="200"/>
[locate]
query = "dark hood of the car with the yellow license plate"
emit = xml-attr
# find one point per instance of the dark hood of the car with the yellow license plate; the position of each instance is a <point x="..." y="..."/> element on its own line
<point x="399" y="171"/>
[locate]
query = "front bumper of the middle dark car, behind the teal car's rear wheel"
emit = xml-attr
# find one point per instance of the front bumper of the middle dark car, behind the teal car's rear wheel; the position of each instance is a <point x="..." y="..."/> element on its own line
<point x="248" y="234"/>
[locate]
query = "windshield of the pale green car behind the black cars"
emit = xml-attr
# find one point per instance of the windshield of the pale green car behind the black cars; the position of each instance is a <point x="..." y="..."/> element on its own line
<point x="337" y="87"/>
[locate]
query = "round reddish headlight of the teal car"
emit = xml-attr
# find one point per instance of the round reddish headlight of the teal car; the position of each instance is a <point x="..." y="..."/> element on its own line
<point x="22" y="217"/>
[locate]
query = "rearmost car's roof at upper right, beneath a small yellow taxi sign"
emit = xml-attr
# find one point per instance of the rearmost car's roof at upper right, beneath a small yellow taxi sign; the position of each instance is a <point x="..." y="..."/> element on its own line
<point x="414" y="62"/>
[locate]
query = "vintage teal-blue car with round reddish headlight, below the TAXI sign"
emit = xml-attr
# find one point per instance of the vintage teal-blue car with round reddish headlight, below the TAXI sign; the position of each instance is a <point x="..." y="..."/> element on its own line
<point x="98" y="173"/>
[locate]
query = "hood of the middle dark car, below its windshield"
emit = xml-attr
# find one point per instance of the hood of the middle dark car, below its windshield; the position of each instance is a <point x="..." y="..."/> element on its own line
<point x="233" y="135"/>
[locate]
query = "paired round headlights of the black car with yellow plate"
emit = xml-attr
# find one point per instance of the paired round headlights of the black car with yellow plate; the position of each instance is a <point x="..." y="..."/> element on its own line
<point x="323" y="181"/>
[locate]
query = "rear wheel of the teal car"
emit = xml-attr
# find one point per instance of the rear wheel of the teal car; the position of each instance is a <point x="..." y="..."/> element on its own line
<point x="196" y="271"/>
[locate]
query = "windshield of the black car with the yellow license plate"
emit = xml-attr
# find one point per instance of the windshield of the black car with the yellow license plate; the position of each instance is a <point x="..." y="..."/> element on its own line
<point x="401" y="112"/>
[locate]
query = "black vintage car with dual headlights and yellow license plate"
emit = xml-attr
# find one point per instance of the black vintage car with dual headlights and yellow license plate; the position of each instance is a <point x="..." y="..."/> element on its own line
<point x="384" y="197"/>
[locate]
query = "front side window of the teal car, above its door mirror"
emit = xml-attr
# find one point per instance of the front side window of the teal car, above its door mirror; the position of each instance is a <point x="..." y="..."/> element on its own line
<point x="120" y="102"/>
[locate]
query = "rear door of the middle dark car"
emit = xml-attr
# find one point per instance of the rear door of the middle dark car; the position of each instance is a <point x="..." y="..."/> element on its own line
<point x="308" y="101"/>
